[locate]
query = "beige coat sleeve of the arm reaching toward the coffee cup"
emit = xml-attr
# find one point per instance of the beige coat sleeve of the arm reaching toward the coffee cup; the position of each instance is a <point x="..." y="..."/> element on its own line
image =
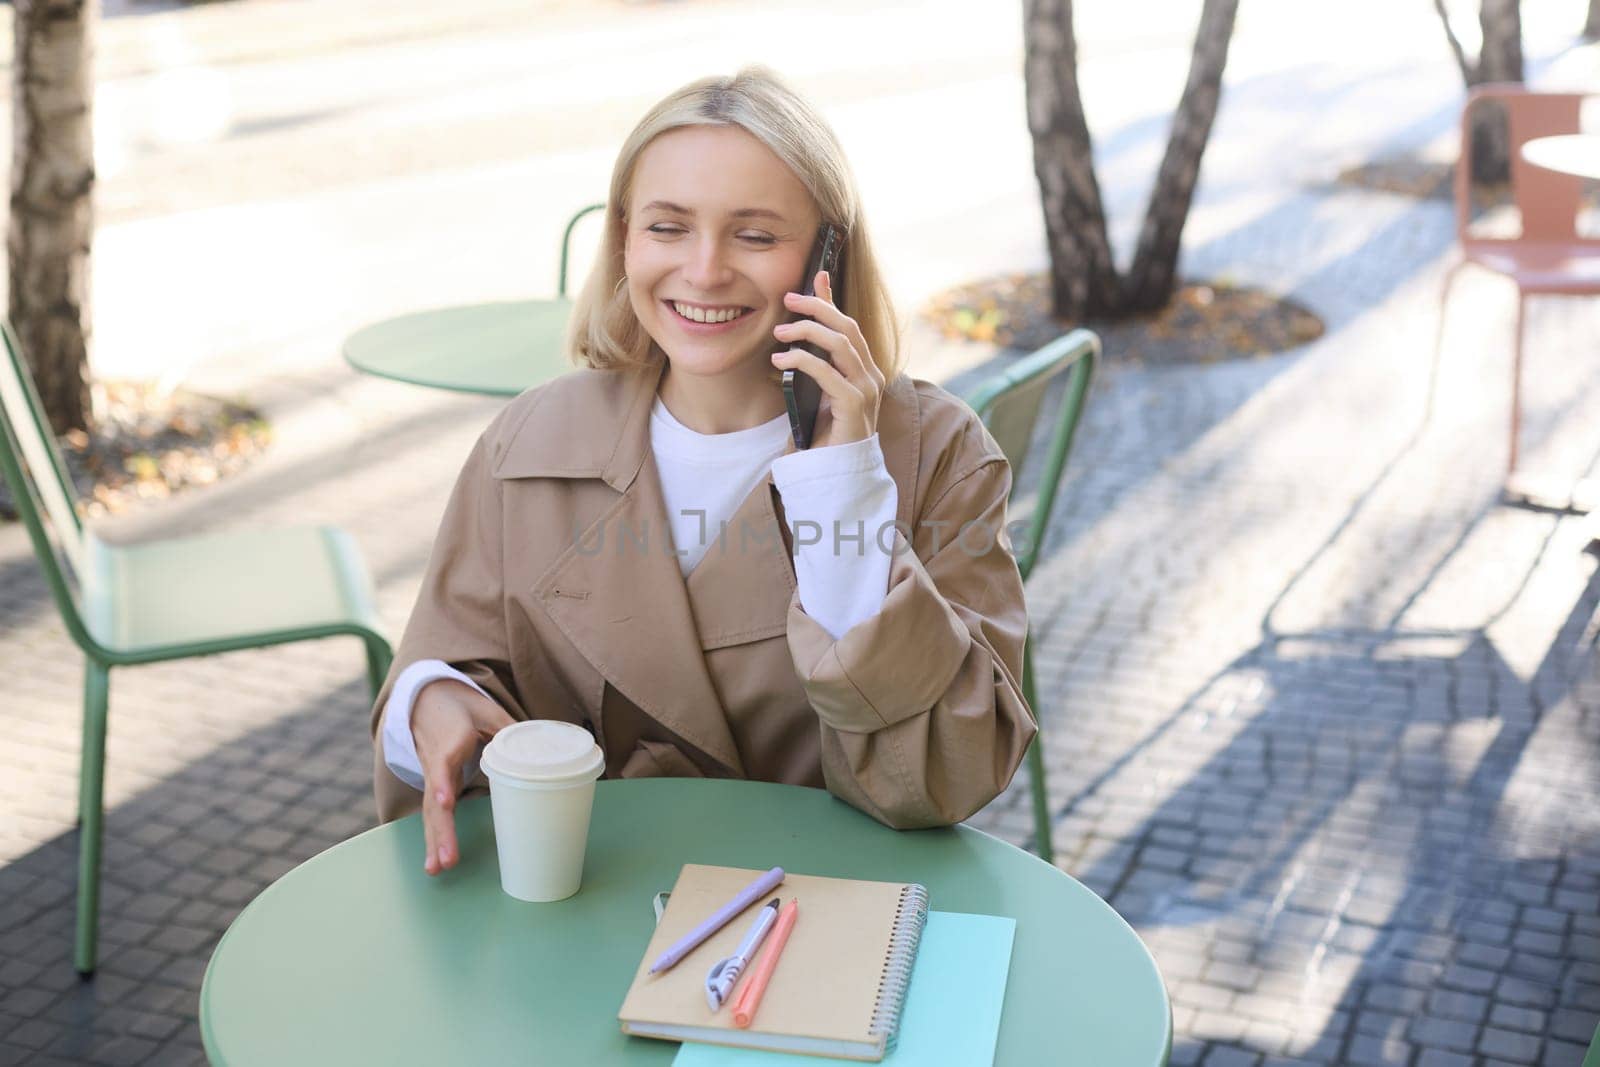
<point x="460" y="612"/>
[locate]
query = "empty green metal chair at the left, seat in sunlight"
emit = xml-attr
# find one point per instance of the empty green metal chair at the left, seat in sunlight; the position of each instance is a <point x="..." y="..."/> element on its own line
<point x="174" y="599"/>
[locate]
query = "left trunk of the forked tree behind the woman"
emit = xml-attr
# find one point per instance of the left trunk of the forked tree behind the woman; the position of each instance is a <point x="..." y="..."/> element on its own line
<point x="1084" y="278"/>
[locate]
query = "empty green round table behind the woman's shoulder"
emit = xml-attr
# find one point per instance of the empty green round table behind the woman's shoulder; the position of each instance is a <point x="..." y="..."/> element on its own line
<point x="495" y="350"/>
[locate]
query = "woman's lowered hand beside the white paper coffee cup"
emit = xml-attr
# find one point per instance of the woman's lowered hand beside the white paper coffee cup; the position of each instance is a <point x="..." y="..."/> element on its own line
<point x="449" y="724"/>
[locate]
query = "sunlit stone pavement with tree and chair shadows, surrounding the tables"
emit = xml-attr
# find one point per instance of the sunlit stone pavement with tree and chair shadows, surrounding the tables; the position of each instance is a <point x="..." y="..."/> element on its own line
<point x="1322" y="714"/>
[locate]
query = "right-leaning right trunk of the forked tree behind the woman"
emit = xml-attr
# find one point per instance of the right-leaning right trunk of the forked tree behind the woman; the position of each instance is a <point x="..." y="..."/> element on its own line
<point x="1154" y="273"/>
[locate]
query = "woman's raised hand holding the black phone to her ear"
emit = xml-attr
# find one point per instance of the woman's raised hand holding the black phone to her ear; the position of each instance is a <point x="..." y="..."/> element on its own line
<point x="852" y="385"/>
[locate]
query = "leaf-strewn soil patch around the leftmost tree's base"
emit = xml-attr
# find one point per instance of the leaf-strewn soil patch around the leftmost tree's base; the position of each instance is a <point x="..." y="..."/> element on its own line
<point x="151" y="446"/>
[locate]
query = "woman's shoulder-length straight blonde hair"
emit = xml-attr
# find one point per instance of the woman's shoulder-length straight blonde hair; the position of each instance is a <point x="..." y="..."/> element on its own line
<point x="604" y="332"/>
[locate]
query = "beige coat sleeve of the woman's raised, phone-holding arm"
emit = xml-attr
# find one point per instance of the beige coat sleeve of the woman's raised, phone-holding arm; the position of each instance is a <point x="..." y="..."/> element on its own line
<point x="922" y="716"/>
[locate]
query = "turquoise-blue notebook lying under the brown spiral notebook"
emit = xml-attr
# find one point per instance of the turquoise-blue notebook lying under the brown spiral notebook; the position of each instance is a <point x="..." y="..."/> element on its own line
<point x="953" y="1007"/>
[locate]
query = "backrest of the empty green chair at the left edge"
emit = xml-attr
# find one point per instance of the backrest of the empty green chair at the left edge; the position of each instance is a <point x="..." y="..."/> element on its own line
<point x="42" y="489"/>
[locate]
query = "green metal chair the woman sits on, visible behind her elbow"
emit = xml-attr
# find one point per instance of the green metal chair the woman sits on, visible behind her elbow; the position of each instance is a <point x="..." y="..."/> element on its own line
<point x="1009" y="404"/>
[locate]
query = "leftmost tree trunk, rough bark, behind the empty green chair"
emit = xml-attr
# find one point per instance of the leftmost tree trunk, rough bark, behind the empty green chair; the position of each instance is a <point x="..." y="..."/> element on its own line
<point x="52" y="199"/>
